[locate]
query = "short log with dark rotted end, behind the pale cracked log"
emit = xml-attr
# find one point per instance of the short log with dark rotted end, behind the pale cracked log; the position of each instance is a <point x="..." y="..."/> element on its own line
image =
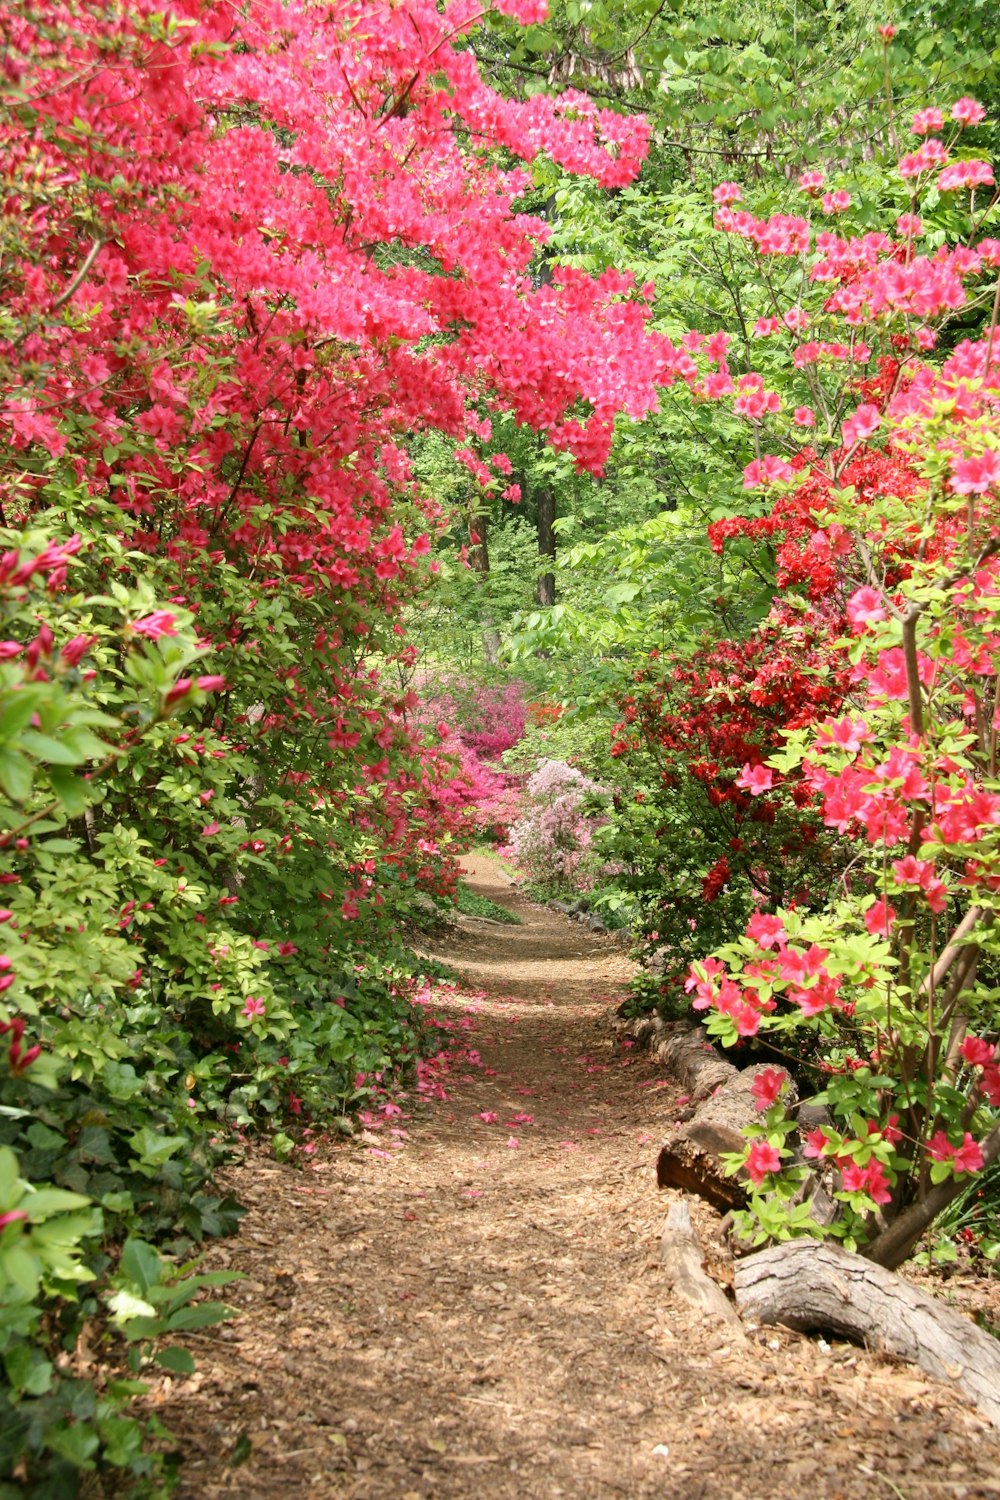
<point x="690" y="1159"/>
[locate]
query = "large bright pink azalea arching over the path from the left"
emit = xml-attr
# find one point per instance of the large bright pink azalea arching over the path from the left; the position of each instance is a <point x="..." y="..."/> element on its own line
<point x="212" y="380"/>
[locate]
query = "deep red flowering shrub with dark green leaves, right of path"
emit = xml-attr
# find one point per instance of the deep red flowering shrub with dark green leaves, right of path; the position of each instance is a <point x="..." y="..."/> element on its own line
<point x="705" y="832"/>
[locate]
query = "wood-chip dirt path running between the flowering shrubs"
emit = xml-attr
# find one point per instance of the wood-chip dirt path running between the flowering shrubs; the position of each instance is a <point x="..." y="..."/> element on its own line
<point x="481" y="1313"/>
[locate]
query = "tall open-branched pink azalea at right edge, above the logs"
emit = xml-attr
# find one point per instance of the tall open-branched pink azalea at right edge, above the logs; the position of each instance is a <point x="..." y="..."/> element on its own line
<point x="888" y="992"/>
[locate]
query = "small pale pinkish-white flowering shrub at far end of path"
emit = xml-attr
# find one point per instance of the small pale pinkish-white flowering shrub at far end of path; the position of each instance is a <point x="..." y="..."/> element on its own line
<point x="554" y="833"/>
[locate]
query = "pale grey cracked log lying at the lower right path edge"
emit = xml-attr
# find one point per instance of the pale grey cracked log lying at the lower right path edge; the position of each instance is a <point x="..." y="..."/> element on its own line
<point x="812" y="1286"/>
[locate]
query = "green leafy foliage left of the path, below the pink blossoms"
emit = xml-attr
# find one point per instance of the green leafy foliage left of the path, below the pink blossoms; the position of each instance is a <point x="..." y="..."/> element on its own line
<point x="154" y="877"/>
